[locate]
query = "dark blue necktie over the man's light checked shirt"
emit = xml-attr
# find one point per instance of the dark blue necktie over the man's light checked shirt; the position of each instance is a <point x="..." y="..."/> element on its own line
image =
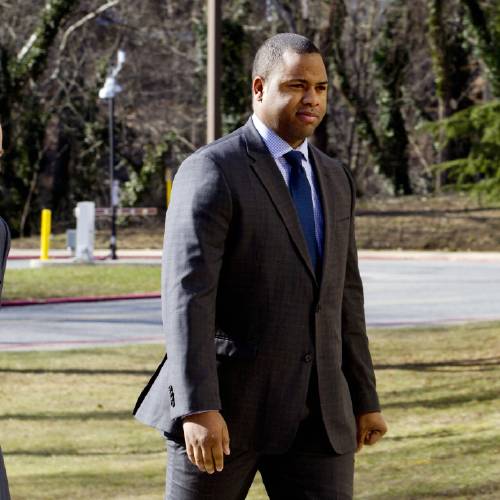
<point x="300" y="191"/>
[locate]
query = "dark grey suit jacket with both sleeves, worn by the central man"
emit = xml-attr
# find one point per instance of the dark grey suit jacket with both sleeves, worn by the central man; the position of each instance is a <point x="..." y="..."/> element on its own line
<point x="243" y="311"/>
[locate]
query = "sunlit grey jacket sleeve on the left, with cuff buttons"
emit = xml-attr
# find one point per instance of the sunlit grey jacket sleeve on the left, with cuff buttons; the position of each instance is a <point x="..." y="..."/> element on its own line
<point x="196" y="227"/>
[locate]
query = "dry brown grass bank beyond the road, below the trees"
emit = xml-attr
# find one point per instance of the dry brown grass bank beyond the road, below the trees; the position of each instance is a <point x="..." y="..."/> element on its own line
<point x="447" y="222"/>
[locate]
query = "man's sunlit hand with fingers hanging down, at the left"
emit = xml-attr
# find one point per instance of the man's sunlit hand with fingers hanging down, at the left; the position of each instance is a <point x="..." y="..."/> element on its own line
<point x="207" y="440"/>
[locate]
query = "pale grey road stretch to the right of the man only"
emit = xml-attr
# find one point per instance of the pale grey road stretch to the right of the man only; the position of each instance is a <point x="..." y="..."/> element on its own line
<point x="405" y="293"/>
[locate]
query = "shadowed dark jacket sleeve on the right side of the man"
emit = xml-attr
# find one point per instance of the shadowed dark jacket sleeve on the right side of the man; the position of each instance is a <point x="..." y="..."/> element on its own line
<point x="356" y="359"/>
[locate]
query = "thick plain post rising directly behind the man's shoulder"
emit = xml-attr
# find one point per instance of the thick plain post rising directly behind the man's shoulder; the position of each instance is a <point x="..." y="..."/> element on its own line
<point x="214" y="128"/>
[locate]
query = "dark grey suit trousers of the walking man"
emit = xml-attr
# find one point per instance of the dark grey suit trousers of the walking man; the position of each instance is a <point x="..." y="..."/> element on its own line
<point x="310" y="469"/>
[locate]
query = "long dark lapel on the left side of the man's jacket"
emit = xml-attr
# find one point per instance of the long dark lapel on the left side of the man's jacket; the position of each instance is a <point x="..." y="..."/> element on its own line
<point x="266" y="170"/>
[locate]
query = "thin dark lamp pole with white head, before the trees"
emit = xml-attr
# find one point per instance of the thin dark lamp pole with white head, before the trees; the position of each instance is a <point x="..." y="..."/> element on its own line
<point x="109" y="91"/>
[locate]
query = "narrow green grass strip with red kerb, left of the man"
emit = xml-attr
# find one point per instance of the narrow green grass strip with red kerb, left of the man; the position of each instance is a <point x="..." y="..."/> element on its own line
<point x="77" y="280"/>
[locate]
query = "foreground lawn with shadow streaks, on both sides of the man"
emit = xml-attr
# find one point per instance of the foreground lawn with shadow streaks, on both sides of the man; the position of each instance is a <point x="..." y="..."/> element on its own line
<point x="66" y="428"/>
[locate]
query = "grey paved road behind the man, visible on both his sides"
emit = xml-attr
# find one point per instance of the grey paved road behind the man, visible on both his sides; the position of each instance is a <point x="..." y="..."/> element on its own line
<point x="397" y="293"/>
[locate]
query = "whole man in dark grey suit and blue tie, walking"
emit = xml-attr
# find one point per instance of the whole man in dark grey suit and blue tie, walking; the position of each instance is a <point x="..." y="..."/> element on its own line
<point x="268" y="364"/>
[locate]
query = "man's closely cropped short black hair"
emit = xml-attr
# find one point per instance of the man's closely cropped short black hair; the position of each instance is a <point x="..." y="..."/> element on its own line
<point x="270" y="53"/>
